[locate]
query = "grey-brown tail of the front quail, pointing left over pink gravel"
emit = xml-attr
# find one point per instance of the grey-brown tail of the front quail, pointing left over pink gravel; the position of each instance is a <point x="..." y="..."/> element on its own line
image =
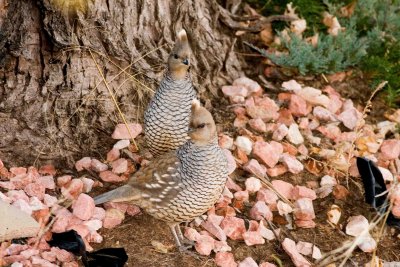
<point x="121" y="194"/>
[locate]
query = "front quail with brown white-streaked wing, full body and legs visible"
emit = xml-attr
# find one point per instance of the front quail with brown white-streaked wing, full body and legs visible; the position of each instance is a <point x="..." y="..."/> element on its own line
<point x="179" y="185"/>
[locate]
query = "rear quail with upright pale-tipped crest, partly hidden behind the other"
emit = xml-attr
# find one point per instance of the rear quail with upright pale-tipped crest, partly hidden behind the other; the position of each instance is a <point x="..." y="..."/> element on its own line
<point x="166" y="119"/>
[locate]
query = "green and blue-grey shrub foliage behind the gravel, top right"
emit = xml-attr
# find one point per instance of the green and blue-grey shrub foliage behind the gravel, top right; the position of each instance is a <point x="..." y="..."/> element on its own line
<point x="371" y="40"/>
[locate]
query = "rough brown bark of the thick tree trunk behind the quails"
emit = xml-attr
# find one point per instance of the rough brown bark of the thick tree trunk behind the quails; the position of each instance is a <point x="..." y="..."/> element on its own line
<point x="53" y="103"/>
